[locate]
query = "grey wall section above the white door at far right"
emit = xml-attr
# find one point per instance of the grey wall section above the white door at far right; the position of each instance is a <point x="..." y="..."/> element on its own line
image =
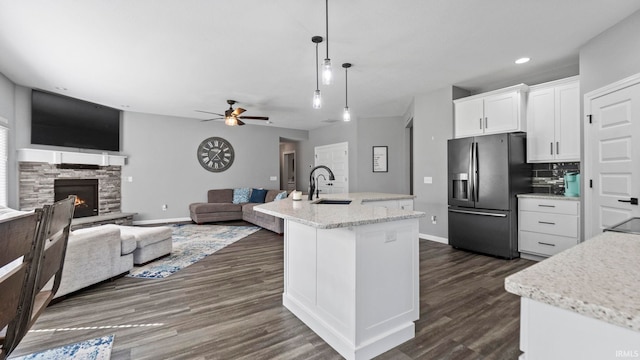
<point x="611" y="56"/>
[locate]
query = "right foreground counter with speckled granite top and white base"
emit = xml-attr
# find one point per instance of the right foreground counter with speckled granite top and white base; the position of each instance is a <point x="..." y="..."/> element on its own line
<point x="583" y="303"/>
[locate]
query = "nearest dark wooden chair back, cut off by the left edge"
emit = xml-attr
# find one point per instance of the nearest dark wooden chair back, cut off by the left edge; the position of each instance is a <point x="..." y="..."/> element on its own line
<point x="18" y="252"/>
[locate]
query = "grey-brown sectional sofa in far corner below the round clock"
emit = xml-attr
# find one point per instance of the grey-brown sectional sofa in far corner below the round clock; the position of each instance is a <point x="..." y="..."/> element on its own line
<point x="220" y="207"/>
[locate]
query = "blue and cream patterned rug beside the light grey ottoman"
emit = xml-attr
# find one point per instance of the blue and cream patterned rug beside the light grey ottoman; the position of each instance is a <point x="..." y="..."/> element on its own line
<point x="192" y="243"/>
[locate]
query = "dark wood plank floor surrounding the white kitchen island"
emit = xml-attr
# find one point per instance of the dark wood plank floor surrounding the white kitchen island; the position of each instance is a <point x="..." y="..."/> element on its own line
<point x="229" y="306"/>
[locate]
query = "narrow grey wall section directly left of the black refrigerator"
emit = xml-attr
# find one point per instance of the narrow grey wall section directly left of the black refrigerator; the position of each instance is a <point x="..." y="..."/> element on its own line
<point x="432" y="127"/>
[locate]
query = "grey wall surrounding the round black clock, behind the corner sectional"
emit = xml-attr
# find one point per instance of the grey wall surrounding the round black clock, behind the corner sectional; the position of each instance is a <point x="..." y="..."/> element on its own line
<point x="162" y="162"/>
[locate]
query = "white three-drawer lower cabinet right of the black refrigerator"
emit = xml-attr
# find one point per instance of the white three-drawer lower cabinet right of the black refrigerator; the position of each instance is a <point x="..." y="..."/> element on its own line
<point x="547" y="226"/>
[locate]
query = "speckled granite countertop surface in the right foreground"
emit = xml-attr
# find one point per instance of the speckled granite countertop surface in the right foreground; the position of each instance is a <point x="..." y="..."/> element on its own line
<point x="599" y="278"/>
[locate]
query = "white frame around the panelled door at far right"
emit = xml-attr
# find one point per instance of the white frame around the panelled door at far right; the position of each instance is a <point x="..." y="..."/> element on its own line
<point x="588" y="132"/>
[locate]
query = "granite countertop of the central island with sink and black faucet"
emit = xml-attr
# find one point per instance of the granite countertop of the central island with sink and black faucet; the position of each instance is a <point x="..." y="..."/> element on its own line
<point x="335" y="216"/>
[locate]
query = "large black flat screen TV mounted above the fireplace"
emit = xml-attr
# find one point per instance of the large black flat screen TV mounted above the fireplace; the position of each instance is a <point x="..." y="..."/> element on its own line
<point x="64" y="121"/>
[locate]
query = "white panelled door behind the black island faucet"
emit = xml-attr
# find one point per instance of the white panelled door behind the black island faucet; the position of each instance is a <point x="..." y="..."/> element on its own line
<point x="336" y="157"/>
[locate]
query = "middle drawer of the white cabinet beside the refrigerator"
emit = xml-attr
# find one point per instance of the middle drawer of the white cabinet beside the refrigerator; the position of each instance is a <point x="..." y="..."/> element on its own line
<point x="554" y="224"/>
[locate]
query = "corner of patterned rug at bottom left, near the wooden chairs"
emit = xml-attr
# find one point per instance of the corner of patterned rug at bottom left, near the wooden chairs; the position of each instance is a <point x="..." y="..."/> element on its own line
<point x="94" y="349"/>
